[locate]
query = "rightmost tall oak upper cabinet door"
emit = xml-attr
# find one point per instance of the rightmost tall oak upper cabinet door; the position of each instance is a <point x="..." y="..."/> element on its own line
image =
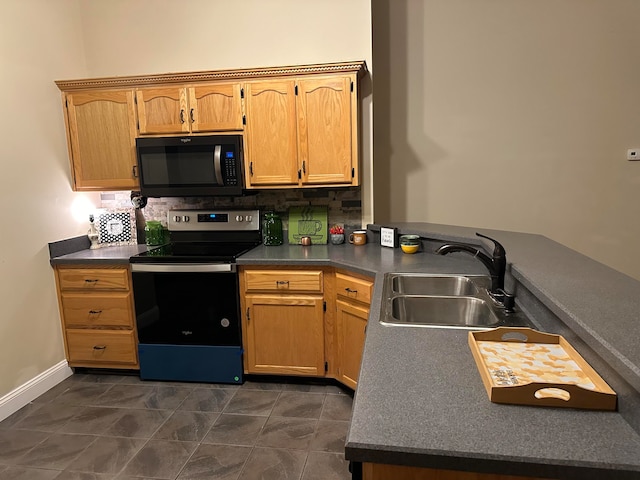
<point x="325" y="143"/>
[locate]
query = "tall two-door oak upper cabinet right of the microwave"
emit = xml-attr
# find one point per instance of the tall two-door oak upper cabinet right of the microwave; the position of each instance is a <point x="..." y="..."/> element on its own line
<point x="301" y="132"/>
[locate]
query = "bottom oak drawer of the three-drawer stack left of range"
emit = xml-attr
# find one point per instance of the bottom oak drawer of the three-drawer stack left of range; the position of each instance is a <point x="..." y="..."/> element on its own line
<point x="101" y="346"/>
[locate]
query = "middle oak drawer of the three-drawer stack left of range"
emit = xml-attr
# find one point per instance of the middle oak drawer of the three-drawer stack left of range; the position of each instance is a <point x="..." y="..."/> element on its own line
<point x="97" y="309"/>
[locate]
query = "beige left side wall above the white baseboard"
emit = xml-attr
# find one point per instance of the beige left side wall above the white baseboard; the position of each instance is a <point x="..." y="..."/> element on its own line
<point x="40" y="41"/>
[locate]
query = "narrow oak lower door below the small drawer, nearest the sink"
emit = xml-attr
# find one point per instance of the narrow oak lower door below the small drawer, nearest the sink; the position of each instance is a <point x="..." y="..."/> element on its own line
<point x="351" y="323"/>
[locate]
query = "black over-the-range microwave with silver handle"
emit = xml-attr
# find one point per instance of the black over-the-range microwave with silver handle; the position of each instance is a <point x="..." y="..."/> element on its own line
<point x="190" y="166"/>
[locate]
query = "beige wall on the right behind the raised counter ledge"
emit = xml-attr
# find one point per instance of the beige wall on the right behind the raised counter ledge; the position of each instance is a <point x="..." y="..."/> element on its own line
<point x="512" y="115"/>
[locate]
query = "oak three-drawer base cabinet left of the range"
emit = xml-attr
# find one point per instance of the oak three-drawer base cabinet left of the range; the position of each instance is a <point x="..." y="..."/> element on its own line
<point x="96" y="309"/>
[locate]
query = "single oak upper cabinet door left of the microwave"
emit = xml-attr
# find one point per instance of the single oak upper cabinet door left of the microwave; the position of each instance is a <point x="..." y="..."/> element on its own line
<point x="101" y="134"/>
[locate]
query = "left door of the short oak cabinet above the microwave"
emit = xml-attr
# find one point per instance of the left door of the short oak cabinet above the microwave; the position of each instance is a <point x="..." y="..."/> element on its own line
<point x="162" y="110"/>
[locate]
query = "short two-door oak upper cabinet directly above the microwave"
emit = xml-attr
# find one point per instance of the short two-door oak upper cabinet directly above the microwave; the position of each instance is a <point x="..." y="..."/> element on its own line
<point x="190" y="109"/>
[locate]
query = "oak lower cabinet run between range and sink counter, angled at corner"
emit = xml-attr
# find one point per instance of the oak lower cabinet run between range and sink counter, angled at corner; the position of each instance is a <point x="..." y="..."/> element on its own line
<point x="304" y="321"/>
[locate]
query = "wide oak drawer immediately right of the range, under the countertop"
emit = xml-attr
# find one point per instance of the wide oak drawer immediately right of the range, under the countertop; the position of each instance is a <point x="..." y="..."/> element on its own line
<point x="283" y="280"/>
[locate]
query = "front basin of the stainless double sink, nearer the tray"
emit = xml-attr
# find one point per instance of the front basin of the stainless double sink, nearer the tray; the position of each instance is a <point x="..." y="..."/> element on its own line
<point x="445" y="311"/>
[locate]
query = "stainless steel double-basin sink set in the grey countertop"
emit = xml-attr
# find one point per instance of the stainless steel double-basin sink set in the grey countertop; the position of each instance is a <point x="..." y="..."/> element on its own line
<point x="445" y="301"/>
